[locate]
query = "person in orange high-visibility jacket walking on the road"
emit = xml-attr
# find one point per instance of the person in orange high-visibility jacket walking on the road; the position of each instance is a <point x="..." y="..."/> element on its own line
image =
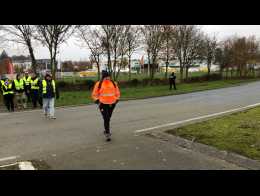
<point x="106" y="94"/>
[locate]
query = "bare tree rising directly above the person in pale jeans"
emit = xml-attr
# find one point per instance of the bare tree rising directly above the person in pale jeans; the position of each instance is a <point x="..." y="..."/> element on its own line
<point x="53" y="36"/>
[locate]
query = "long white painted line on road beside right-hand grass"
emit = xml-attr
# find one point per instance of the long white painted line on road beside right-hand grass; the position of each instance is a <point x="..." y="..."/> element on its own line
<point x="197" y="118"/>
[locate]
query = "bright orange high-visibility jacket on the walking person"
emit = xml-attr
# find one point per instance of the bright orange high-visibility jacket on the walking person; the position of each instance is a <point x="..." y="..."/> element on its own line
<point x="107" y="93"/>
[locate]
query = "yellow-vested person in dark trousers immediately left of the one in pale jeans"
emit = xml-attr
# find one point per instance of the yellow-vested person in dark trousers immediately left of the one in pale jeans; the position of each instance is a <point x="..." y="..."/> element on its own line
<point x="35" y="90"/>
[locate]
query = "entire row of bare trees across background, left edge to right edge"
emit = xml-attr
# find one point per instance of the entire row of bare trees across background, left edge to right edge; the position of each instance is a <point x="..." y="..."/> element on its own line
<point x="117" y="43"/>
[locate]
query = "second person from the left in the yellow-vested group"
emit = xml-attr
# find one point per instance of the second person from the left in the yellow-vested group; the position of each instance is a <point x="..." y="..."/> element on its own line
<point x="19" y="88"/>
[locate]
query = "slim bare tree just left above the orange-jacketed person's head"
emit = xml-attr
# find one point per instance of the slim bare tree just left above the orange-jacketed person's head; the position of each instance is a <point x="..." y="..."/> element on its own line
<point x="91" y="37"/>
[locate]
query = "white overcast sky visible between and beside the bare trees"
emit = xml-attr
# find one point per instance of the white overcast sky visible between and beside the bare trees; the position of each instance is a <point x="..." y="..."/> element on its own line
<point x="72" y="51"/>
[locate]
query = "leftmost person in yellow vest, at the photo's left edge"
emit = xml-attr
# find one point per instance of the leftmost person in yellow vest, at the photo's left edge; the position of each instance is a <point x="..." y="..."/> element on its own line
<point x="7" y="89"/>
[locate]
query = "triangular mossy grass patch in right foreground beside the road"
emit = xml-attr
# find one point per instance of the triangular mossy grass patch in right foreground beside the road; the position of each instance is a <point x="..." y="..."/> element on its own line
<point x="239" y="133"/>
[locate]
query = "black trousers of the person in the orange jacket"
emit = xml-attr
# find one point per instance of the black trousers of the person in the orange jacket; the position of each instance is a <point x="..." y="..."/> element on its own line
<point x="106" y="111"/>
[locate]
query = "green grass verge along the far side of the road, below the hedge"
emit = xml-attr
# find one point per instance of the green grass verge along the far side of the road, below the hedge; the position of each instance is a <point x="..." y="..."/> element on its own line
<point x="84" y="97"/>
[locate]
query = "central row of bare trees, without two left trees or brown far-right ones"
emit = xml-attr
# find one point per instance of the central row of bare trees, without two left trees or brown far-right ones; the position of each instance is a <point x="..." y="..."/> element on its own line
<point x="187" y="43"/>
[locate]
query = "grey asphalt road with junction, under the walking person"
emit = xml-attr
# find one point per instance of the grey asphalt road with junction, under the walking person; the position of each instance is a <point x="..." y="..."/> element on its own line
<point x="75" y="140"/>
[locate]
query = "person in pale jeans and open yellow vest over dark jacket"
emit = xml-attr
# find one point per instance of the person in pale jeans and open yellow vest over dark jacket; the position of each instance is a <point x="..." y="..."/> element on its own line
<point x="49" y="91"/>
